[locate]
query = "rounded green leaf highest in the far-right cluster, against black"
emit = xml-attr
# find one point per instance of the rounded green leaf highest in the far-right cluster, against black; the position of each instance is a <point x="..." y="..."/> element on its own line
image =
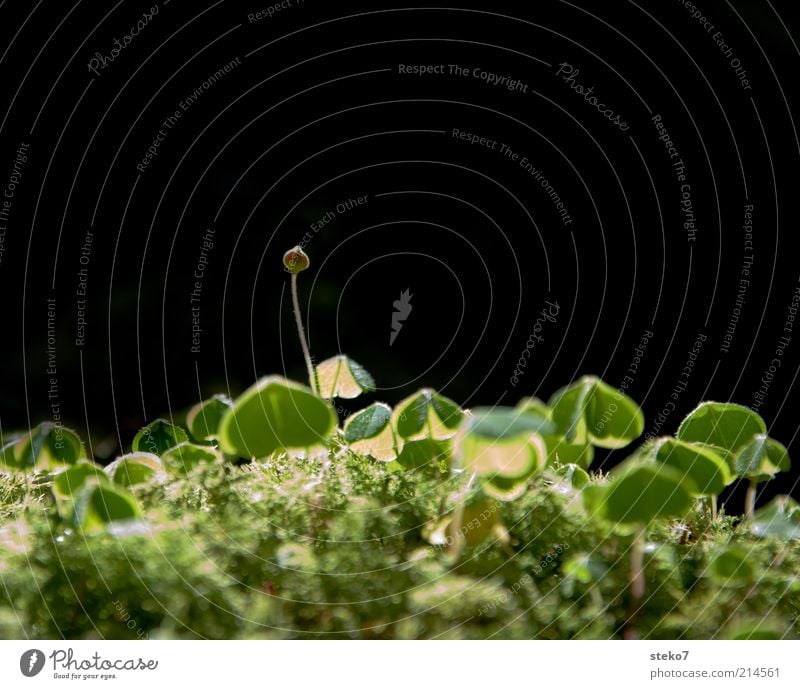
<point x="723" y="424"/>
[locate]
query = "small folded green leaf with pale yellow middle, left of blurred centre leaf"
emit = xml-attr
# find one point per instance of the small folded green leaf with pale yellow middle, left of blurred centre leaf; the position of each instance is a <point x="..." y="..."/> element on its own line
<point x="427" y="414"/>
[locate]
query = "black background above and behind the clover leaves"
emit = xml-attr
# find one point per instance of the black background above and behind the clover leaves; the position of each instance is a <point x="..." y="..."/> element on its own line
<point x="308" y="121"/>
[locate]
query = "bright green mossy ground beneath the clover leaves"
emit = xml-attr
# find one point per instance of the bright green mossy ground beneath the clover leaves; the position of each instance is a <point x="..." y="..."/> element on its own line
<point x="305" y="548"/>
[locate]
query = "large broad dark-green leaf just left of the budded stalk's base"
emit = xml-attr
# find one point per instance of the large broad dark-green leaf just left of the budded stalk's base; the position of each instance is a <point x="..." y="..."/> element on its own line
<point x="276" y="414"/>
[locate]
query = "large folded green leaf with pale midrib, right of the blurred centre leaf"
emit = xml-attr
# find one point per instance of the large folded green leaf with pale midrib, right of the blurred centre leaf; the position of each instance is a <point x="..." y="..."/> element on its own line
<point x="589" y="410"/>
